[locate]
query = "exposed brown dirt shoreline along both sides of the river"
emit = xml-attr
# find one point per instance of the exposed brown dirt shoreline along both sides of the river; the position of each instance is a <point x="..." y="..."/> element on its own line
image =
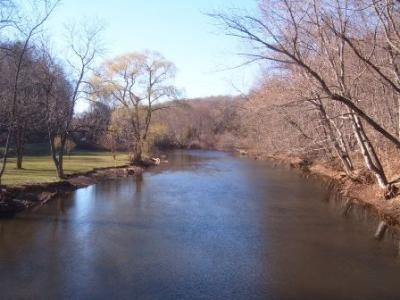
<point x="18" y="198"/>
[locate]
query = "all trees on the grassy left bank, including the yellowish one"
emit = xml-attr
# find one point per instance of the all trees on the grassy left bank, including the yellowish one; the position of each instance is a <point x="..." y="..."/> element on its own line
<point x="40" y="91"/>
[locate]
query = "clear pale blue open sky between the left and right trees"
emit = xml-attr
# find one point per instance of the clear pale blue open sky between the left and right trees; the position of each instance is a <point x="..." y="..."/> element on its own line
<point x="179" y="29"/>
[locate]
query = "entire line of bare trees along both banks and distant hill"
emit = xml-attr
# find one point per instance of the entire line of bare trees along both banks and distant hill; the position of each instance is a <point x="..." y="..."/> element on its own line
<point x="330" y="92"/>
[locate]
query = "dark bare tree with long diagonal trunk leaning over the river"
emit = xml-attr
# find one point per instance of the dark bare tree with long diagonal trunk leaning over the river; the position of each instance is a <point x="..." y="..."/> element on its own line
<point x="282" y="34"/>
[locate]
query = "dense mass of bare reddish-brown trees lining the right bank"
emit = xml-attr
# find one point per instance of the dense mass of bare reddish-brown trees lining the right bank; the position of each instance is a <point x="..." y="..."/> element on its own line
<point x="333" y="86"/>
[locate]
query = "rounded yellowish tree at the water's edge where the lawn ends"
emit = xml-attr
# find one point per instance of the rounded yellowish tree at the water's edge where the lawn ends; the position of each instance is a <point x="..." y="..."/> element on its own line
<point x="133" y="84"/>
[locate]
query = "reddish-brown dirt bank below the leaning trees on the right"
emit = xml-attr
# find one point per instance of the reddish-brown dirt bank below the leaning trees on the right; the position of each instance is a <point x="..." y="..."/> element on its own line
<point x="362" y="193"/>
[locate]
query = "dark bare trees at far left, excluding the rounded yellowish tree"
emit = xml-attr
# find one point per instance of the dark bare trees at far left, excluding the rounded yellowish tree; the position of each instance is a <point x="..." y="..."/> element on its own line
<point x="39" y="92"/>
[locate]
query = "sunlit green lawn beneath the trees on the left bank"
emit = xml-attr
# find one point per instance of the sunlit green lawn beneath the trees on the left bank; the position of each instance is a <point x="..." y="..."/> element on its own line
<point x="40" y="169"/>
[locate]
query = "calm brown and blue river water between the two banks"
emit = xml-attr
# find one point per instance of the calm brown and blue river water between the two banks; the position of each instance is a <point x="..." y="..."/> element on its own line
<point x="206" y="225"/>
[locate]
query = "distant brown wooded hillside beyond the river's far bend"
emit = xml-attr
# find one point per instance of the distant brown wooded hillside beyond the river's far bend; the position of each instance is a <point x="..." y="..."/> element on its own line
<point x="209" y="123"/>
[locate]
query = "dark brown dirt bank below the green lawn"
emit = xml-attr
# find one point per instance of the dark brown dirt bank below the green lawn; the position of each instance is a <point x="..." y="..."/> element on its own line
<point x="17" y="198"/>
